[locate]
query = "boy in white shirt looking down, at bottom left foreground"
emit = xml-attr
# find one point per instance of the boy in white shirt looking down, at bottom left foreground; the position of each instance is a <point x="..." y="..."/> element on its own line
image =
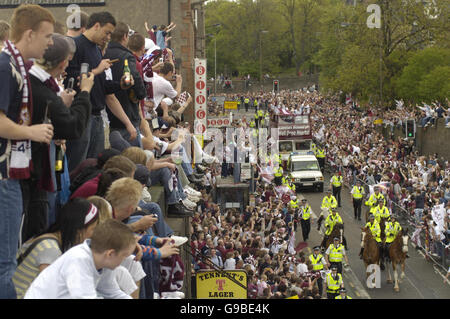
<point x="87" y="270"/>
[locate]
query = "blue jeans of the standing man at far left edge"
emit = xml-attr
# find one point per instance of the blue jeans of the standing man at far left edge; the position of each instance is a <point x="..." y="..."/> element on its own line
<point x="11" y="208"/>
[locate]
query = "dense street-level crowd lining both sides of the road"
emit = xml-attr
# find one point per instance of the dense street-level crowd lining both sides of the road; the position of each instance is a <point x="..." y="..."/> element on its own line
<point x="260" y="242"/>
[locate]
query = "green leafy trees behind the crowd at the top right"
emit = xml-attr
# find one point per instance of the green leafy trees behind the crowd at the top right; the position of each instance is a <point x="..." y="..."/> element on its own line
<point x="406" y="55"/>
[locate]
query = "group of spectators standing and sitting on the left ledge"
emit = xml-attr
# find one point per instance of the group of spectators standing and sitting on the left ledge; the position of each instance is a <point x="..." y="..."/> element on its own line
<point x="86" y="124"/>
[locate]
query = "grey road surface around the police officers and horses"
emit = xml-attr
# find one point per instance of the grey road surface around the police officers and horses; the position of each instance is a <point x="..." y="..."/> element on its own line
<point x="423" y="280"/>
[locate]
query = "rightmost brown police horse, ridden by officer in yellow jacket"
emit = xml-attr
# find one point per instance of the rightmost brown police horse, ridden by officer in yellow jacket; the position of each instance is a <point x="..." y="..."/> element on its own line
<point x="397" y="254"/>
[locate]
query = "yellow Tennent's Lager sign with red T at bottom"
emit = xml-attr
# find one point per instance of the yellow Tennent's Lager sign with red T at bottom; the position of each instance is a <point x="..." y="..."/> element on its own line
<point x="228" y="284"/>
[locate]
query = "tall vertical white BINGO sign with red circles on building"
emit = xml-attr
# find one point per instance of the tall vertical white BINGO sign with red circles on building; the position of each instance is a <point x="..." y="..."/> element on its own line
<point x="200" y="96"/>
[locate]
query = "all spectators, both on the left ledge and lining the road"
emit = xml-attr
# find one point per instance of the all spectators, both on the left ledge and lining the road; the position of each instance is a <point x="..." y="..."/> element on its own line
<point x="91" y="119"/>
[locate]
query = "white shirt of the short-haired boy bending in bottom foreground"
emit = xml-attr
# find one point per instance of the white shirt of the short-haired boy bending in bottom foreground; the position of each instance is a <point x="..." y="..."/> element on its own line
<point x="74" y="276"/>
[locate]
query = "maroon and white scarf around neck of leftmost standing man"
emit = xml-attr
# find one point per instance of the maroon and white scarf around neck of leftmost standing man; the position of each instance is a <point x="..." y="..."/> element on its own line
<point x="20" y="163"/>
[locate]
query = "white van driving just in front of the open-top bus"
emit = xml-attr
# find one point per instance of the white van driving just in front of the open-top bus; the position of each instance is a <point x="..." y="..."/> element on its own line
<point x="305" y="171"/>
